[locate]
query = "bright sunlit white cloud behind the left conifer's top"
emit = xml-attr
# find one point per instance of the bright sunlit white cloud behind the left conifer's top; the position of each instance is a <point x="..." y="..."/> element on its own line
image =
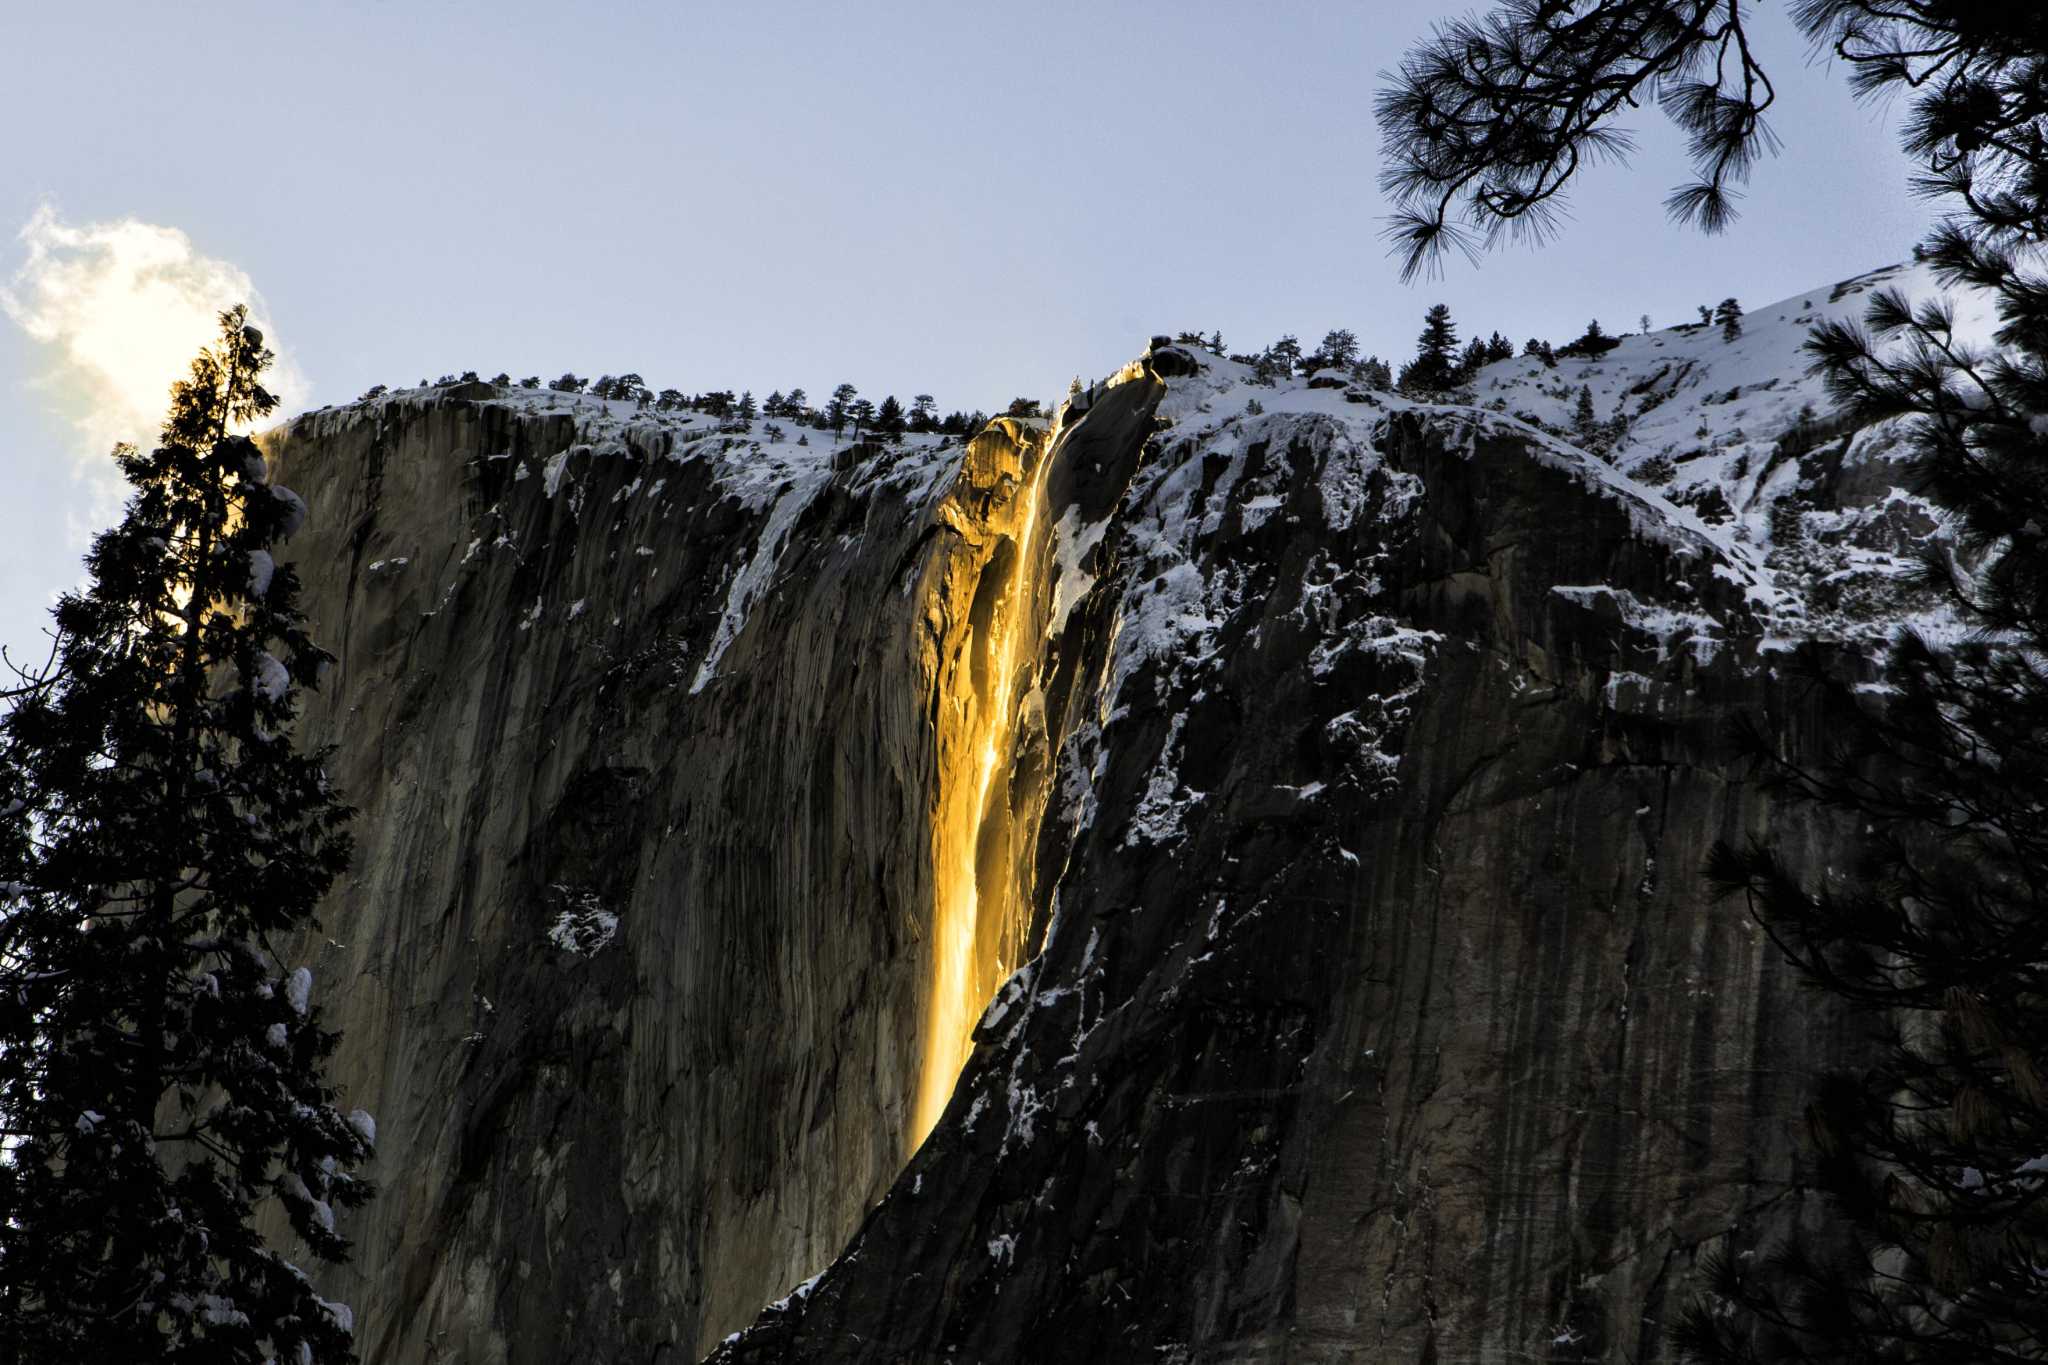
<point x="122" y="310"/>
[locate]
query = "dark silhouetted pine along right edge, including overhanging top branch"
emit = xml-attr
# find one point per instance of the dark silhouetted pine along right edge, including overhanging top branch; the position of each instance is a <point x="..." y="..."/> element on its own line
<point x="1934" y="1155"/>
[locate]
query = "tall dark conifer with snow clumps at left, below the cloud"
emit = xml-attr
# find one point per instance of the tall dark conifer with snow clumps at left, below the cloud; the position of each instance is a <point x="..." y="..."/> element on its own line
<point x="161" y="1065"/>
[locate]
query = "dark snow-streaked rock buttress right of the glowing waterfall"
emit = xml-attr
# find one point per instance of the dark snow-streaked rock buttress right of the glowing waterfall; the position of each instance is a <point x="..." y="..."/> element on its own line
<point x="1416" y="1034"/>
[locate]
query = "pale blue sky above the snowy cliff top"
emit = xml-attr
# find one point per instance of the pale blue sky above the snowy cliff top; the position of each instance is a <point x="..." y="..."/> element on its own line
<point x="966" y="200"/>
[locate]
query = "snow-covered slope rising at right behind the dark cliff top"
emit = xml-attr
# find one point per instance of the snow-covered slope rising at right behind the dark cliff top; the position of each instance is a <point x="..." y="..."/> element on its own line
<point x="1723" y="449"/>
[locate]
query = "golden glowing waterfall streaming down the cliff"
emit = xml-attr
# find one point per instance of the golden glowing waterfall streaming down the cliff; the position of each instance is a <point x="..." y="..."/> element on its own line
<point x="980" y="908"/>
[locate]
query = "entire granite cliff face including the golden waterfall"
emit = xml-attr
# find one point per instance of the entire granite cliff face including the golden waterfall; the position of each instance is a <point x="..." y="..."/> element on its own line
<point x="1316" y="783"/>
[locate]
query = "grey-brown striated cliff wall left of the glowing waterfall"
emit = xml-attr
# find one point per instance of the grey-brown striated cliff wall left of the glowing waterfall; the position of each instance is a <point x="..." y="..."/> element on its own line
<point x="634" y="967"/>
